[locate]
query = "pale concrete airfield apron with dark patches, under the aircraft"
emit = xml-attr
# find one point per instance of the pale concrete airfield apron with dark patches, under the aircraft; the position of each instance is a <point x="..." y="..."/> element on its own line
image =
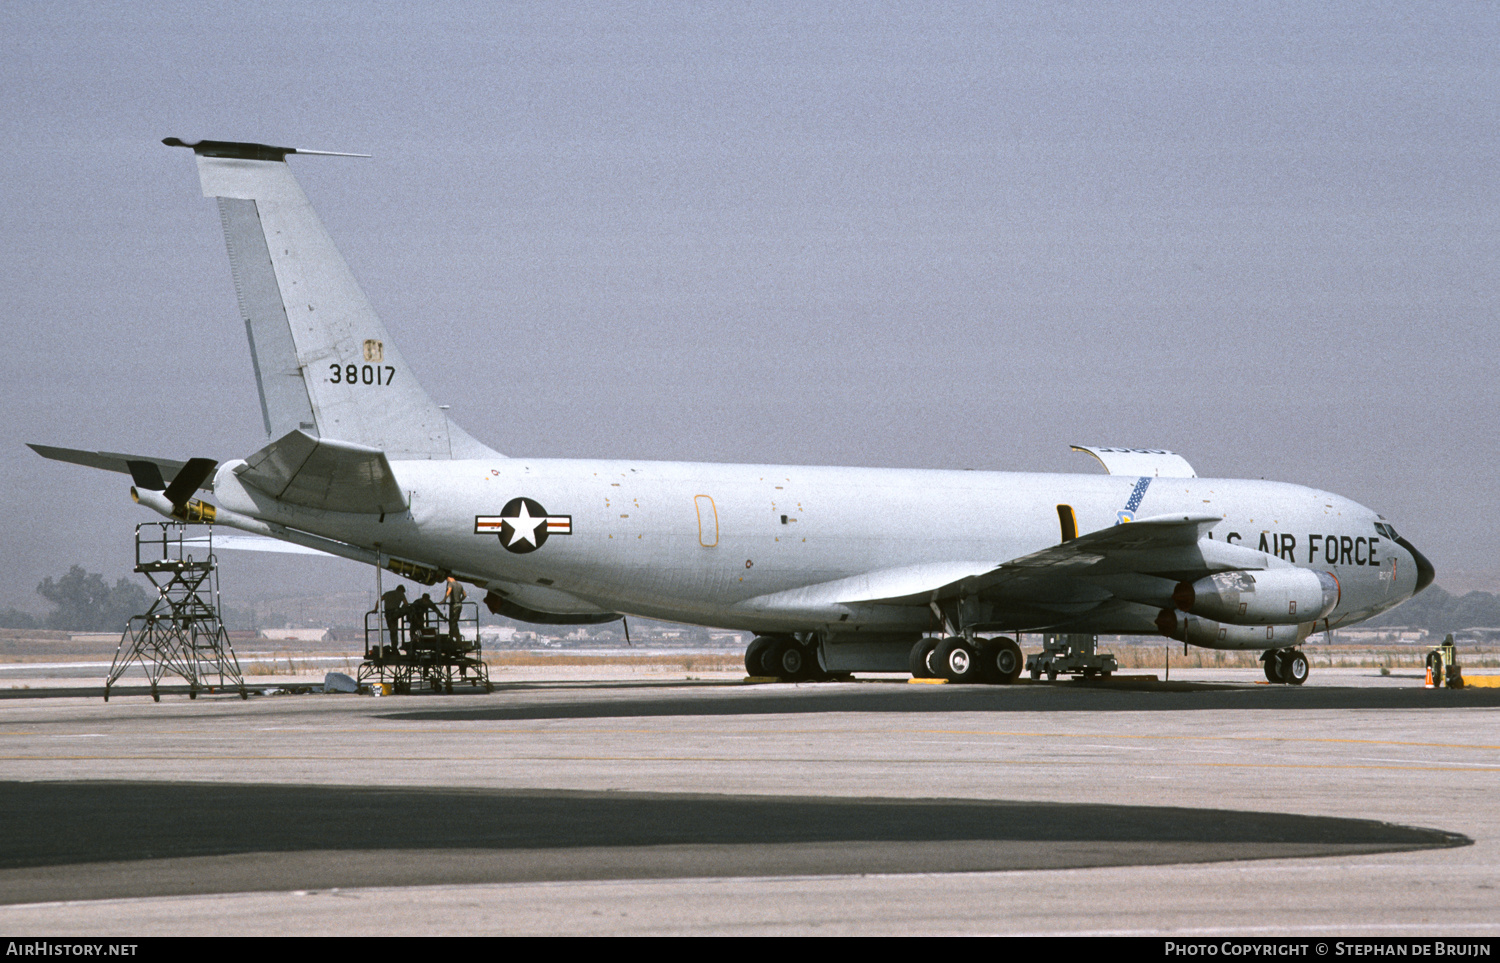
<point x="1352" y="806"/>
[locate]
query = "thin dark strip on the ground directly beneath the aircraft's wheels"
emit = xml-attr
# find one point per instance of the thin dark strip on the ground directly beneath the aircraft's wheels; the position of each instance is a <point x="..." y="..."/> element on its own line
<point x="1067" y="698"/>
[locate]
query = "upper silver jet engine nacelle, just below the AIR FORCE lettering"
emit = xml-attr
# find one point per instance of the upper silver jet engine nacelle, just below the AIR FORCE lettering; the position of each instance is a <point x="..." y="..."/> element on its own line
<point x="1273" y="598"/>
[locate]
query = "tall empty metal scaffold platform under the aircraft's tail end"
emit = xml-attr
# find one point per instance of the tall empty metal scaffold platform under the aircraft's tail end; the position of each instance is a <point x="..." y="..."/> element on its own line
<point x="182" y="632"/>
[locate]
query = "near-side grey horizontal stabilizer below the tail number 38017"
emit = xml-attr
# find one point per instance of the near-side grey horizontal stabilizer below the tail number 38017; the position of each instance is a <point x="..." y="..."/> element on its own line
<point x="322" y="473"/>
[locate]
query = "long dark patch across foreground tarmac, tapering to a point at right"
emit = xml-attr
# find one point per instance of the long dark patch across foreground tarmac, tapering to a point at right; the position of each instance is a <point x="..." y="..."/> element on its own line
<point x="116" y="839"/>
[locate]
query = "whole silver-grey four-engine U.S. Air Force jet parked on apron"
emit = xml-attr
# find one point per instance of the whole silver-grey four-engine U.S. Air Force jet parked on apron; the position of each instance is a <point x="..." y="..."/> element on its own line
<point x="835" y="569"/>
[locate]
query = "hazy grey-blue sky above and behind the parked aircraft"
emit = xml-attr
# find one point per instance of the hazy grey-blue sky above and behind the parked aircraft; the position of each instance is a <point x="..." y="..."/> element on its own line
<point x="872" y="235"/>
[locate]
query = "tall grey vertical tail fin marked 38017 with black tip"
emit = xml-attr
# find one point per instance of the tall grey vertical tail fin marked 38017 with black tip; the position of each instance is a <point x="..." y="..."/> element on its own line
<point x="325" y="362"/>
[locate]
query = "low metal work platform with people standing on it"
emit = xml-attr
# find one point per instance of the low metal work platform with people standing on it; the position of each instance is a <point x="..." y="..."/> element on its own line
<point x="434" y="646"/>
